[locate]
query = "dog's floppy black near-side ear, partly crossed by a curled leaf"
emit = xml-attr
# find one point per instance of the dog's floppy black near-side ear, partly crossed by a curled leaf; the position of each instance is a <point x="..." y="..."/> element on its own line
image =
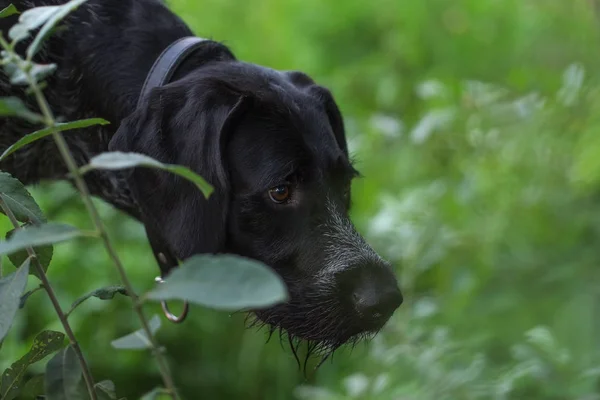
<point x="187" y="125"/>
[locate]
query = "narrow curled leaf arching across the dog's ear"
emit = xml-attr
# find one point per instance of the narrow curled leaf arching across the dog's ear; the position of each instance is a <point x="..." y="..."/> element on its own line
<point x="119" y="160"/>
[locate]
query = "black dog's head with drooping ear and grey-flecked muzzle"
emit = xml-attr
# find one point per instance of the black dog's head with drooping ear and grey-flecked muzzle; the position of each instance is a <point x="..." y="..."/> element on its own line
<point x="273" y="145"/>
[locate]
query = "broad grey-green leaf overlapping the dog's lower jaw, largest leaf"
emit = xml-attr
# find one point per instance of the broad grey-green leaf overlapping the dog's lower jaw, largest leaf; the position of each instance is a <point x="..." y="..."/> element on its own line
<point x="226" y="282"/>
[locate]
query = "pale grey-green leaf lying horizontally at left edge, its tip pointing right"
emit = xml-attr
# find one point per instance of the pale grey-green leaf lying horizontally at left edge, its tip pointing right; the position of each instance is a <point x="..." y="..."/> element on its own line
<point x="38" y="236"/>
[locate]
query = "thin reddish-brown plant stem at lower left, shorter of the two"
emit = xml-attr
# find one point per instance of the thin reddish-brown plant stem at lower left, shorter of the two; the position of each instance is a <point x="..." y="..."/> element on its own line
<point x="87" y="375"/>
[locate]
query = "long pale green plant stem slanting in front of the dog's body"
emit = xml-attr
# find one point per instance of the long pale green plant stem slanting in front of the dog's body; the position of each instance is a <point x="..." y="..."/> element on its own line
<point x="97" y="221"/>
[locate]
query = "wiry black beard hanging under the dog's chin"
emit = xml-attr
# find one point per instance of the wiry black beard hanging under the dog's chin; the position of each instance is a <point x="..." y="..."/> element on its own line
<point x="313" y="321"/>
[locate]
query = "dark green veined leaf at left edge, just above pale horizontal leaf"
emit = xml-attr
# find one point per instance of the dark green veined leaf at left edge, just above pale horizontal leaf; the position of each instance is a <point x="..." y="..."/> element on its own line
<point x="19" y="200"/>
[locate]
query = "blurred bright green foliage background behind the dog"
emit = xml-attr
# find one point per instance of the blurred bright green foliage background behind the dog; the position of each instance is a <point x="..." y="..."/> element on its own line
<point x="477" y="126"/>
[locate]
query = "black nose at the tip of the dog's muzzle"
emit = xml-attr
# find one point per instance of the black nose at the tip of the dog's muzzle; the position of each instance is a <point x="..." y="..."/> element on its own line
<point x="372" y="292"/>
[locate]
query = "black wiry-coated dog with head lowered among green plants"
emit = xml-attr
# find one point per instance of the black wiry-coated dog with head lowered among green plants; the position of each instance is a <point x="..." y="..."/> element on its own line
<point x="272" y="143"/>
